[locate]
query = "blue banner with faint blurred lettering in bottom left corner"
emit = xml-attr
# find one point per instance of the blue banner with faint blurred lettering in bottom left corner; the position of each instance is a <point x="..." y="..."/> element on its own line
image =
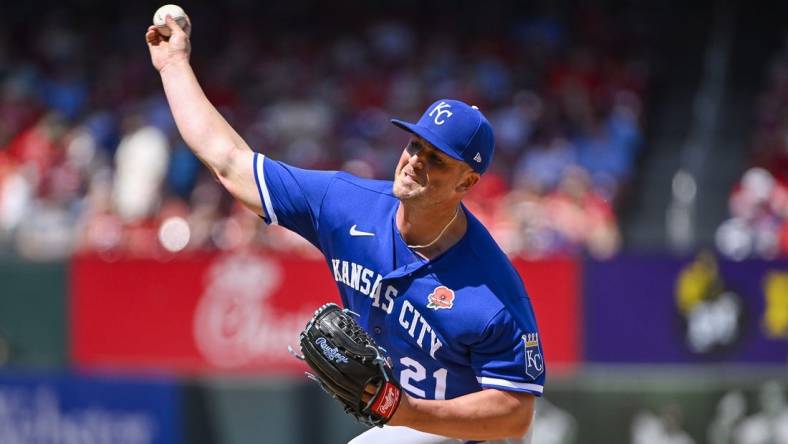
<point x="61" y="408"/>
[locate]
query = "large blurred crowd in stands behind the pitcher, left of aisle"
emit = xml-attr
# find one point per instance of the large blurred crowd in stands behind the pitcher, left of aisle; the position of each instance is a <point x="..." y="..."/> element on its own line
<point x="90" y="159"/>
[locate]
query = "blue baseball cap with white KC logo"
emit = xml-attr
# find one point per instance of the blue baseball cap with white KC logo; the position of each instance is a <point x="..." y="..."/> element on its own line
<point x="458" y="129"/>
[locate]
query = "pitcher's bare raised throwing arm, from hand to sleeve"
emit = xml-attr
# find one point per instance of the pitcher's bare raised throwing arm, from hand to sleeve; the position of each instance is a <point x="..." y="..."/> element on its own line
<point x="201" y="125"/>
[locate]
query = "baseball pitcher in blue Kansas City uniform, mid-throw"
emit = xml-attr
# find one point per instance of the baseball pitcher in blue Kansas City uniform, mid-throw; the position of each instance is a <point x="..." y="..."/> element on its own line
<point x="445" y="322"/>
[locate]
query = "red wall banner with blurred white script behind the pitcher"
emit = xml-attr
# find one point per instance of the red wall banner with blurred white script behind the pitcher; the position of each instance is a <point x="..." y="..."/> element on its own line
<point x="239" y="312"/>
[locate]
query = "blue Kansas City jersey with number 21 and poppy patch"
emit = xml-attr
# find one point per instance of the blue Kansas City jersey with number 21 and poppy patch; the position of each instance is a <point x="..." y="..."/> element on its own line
<point x="452" y="325"/>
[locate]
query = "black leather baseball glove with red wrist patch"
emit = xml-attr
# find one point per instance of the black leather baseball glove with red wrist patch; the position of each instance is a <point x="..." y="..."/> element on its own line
<point x="349" y="366"/>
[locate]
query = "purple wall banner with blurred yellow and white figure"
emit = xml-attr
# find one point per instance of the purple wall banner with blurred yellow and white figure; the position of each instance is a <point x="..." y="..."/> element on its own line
<point x="699" y="310"/>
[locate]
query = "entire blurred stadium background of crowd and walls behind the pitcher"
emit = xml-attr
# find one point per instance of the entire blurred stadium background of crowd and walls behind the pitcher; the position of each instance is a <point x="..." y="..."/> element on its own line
<point x="639" y="185"/>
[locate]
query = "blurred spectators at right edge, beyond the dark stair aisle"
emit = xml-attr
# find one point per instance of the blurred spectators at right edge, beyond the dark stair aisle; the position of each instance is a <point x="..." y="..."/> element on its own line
<point x="758" y="223"/>
